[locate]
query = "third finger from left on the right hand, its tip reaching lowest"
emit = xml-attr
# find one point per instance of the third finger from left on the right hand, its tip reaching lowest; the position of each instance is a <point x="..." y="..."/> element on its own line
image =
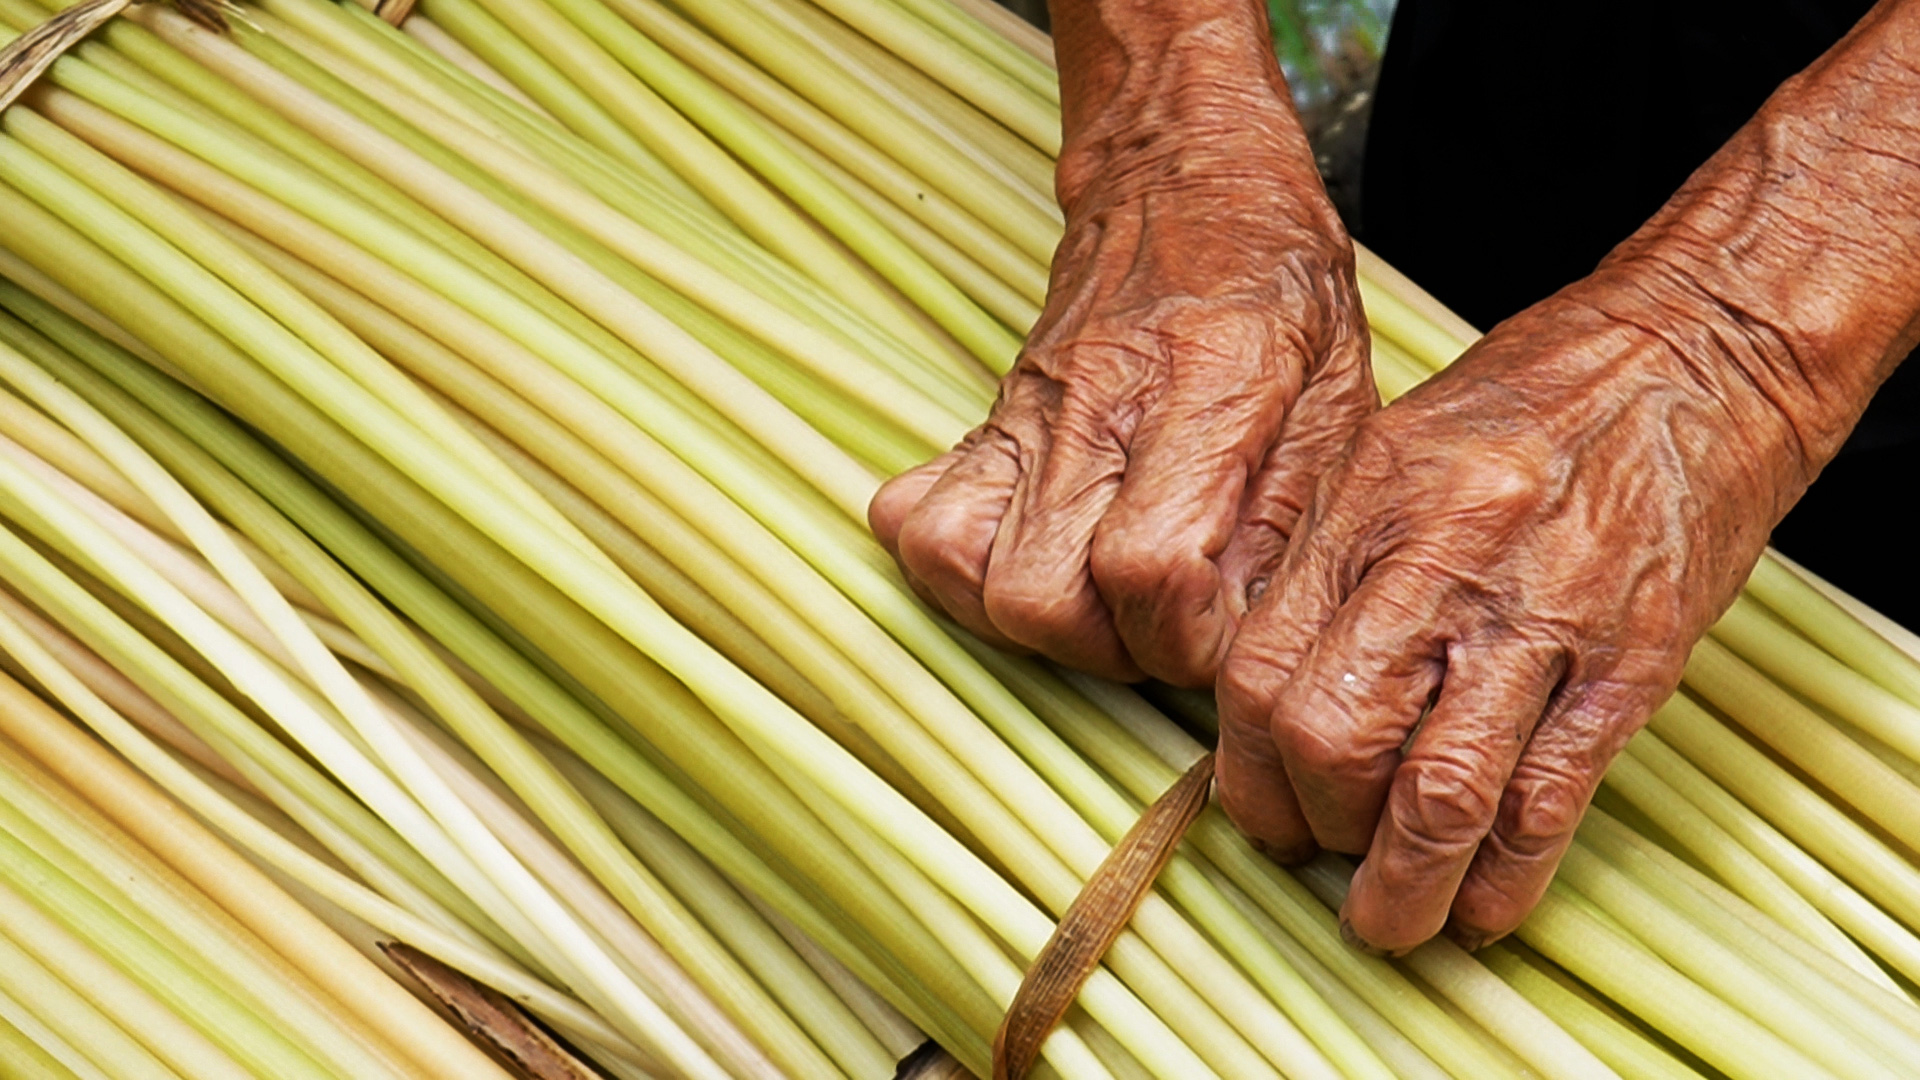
<point x="1449" y="791"/>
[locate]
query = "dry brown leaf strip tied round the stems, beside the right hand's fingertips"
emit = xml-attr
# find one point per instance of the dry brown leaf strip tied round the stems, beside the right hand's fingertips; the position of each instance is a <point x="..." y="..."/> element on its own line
<point x="1095" y="920"/>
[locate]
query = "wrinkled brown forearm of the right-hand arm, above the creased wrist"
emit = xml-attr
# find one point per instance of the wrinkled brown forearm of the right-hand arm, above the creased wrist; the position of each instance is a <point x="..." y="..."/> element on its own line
<point x="1800" y="241"/>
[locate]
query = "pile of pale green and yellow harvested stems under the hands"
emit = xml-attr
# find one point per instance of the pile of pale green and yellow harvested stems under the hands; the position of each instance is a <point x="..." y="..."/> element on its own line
<point x="431" y="512"/>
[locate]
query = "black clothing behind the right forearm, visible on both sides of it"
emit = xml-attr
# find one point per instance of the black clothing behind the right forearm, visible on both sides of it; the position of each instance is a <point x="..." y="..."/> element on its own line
<point x="1516" y="143"/>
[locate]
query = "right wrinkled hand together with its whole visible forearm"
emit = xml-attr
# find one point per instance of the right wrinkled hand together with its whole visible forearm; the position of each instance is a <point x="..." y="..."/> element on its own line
<point x="1506" y="570"/>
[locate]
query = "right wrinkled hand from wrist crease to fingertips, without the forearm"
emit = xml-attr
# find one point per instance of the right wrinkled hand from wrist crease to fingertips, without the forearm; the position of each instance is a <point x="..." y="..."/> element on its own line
<point x="1493" y="591"/>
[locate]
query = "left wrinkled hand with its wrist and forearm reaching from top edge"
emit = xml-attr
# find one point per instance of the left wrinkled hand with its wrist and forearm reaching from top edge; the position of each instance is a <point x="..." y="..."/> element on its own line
<point x="1201" y="358"/>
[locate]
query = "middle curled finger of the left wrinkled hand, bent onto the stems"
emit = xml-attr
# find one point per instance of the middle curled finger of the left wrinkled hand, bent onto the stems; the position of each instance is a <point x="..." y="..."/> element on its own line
<point x="1038" y="587"/>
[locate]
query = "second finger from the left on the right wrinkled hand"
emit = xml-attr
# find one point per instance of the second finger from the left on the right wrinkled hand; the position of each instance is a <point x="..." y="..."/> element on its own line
<point x="1345" y="716"/>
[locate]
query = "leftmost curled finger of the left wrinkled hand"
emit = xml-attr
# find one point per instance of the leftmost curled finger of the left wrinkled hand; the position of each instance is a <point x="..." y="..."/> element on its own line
<point x="944" y="539"/>
